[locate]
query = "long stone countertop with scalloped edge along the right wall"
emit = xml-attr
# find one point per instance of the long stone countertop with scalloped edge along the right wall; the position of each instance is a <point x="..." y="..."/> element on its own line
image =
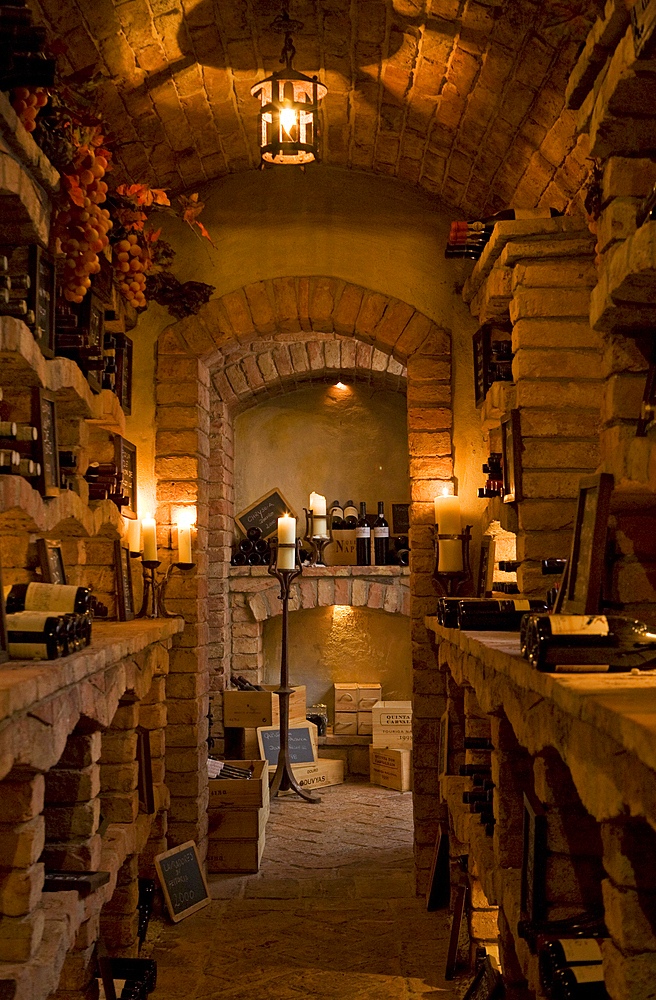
<point x="602" y="725"/>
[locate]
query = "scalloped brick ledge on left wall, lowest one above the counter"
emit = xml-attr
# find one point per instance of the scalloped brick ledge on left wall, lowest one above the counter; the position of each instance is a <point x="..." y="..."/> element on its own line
<point x="22" y="508"/>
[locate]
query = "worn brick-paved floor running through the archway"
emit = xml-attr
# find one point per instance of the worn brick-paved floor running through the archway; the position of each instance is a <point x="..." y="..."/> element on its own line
<point x="332" y="913"/>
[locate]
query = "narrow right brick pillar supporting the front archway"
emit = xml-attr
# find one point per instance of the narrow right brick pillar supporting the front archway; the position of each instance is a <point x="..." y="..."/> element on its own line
<point x="431" y="467"/>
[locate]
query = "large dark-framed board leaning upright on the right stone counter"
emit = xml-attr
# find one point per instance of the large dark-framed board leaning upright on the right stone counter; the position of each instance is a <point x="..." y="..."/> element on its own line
<point x="585" y="567"/>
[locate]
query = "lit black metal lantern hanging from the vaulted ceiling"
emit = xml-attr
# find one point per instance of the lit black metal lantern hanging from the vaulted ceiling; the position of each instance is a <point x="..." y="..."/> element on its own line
<point x="289" y="100"/>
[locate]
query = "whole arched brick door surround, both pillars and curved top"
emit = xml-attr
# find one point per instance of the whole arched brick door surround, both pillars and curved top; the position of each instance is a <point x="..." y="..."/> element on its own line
<point x="269" y="337"/>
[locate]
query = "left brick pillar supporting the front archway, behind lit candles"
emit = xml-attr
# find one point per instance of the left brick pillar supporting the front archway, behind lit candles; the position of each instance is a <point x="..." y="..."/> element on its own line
<point x="182" y="469"/>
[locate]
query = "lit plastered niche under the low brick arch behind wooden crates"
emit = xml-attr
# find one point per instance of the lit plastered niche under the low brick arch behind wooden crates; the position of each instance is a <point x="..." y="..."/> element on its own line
<point x="339" y="644"/>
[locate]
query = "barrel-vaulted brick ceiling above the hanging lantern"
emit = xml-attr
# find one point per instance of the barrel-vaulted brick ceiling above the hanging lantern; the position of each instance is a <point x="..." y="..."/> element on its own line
<point x="463" y="98"/>
